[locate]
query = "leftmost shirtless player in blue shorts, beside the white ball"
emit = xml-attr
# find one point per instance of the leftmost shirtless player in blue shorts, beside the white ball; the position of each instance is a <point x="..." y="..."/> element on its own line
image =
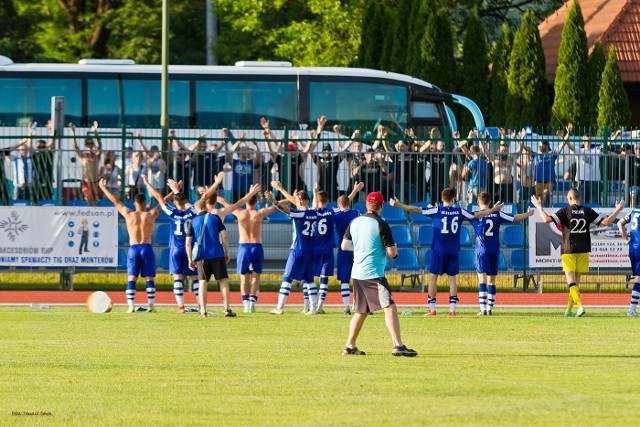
<point x="141" y="260"/>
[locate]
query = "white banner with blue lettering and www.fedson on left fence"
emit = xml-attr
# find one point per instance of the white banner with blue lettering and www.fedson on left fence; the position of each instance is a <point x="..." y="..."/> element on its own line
<point x="57" y="236"/>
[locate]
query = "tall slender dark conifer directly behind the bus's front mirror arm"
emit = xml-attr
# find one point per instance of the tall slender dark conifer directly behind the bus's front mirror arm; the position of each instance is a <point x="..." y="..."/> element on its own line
<point x="475" y="67"/>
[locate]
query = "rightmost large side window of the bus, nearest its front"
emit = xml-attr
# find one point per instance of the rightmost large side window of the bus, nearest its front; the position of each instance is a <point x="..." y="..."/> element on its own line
<point x="359" y="105"/>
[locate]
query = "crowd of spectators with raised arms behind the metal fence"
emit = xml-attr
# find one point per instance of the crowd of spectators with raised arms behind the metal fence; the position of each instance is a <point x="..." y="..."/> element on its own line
<point x="402" y="163"/>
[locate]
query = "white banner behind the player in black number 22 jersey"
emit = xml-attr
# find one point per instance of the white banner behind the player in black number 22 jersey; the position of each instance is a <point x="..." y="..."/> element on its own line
<point x="607" y="247"/>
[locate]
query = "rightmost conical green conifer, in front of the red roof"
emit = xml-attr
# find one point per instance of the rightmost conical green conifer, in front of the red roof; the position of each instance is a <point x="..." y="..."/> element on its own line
<point x="613" y="107"/>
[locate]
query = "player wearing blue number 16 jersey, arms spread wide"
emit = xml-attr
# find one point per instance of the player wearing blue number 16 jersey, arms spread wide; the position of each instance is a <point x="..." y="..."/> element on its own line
<point x="447" y="220"/>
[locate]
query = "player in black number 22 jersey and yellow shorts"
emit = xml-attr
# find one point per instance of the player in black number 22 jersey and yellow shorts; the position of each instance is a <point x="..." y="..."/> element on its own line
<point x="575" y="220"/>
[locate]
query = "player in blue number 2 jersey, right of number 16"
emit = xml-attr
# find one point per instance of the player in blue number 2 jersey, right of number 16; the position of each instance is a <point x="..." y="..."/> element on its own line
<point x="488" y="250"/>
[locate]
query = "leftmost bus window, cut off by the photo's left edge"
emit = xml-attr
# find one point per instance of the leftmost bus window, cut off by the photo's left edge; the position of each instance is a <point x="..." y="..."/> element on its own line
<point x="29" y="99"/>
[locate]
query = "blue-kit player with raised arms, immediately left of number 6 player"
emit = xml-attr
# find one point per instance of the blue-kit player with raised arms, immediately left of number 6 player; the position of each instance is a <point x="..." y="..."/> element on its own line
<point x="300" y="264"/>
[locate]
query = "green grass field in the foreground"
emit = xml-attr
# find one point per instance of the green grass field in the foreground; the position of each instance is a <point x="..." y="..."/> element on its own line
<point x="525" y="366"/>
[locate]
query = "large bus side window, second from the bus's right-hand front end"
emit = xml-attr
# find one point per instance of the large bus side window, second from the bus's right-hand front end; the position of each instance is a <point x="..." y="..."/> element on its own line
<point x="234" y="104"/>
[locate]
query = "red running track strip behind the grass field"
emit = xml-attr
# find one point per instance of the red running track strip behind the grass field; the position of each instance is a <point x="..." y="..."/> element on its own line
<point x="506" y="299"/>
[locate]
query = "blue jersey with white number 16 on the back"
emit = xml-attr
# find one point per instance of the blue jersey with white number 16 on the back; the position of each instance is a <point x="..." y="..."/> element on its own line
<point x="447" y="221"/>
